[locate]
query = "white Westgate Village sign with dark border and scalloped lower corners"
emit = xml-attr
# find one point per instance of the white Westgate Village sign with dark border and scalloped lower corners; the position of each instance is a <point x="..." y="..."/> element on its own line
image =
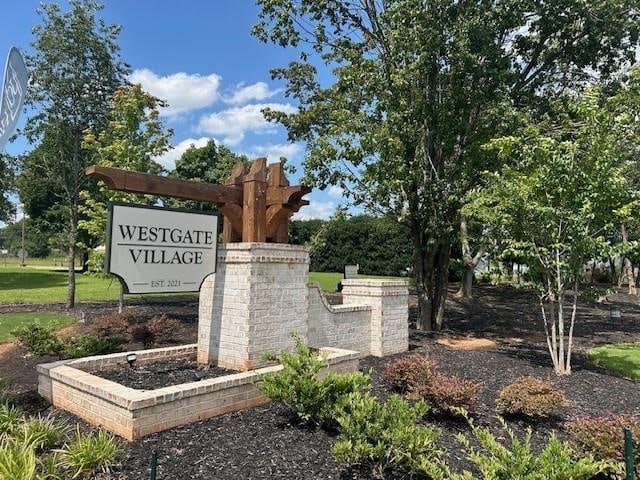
<point x="156" y="250"/>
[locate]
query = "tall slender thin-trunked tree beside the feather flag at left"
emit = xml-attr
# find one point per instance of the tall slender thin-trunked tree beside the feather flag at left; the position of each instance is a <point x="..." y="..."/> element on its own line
<point x="75" y="69"/>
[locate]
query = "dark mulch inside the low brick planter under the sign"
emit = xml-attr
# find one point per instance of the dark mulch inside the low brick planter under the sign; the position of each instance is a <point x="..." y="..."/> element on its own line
<point x="161" y="374"/>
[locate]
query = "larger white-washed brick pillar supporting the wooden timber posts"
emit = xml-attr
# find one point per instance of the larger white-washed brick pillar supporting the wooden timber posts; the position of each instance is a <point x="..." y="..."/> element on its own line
<point x="253" y="303"/>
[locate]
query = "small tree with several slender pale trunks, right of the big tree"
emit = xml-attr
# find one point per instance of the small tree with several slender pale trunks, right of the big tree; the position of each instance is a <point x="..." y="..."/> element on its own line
<point x="554" y="202"/>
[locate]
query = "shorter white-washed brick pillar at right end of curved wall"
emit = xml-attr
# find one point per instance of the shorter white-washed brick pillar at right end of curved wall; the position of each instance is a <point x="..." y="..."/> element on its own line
<point x="390" y="314"/>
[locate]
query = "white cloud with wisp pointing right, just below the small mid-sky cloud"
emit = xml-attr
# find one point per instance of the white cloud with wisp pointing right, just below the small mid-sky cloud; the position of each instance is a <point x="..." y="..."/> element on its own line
<point x="232" y="124"/>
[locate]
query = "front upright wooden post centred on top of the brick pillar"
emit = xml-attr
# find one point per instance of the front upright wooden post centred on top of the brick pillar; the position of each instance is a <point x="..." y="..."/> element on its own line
<point x="254" y="203"/>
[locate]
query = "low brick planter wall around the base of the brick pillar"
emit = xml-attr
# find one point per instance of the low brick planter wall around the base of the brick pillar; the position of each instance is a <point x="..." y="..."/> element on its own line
<point x="133" y="413"/>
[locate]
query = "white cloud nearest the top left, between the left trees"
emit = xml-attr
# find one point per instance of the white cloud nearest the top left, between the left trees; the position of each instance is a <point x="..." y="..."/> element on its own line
<point x="182" y="91"/>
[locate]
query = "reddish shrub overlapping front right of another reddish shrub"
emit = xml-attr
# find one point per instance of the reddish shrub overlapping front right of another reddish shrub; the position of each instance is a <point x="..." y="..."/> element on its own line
<point x="448" y="394"/>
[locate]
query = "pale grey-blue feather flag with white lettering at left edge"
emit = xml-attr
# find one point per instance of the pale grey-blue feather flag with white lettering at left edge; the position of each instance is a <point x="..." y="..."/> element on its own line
<point x="13" y="93"/>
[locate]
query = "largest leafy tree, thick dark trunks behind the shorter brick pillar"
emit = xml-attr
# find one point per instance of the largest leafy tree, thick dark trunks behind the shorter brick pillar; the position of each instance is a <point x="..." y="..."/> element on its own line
<point x="419" y="85"/>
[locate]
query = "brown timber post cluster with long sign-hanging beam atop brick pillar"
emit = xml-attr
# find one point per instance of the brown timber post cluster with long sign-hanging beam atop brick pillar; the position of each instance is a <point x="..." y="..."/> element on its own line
<point x="256" y="202"/>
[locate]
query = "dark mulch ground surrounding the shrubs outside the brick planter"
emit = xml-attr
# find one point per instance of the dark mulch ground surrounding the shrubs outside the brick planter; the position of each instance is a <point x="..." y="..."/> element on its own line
<point x="264" y="442"/>
